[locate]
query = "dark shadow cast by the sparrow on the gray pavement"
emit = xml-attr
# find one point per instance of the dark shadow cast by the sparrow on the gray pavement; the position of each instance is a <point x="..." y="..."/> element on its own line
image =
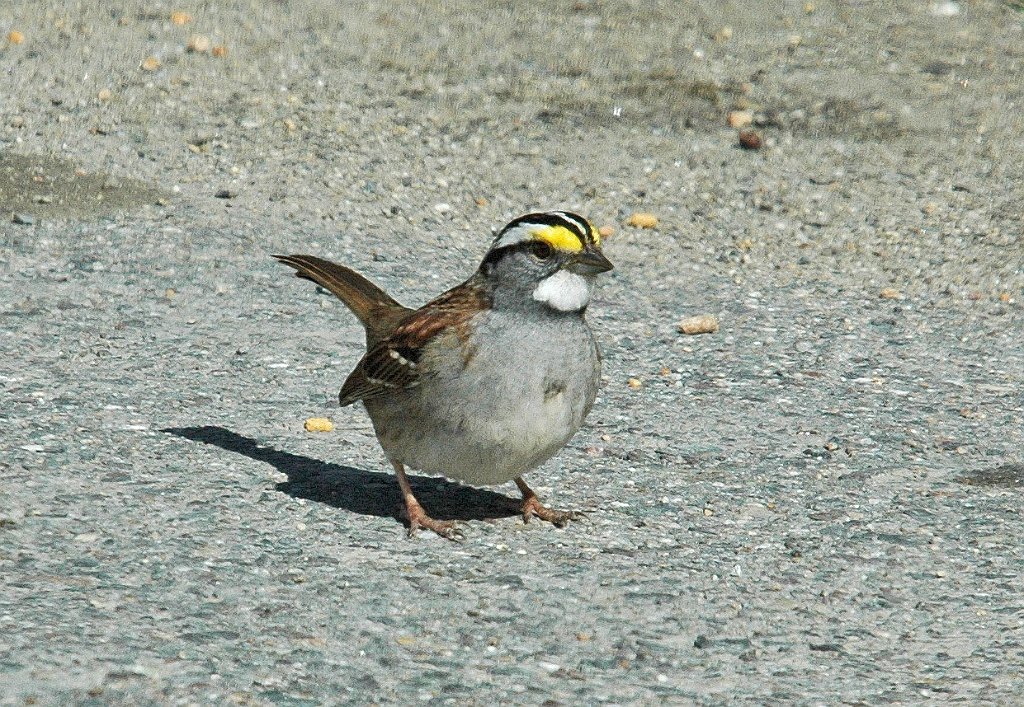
<point x="359" y="491"/>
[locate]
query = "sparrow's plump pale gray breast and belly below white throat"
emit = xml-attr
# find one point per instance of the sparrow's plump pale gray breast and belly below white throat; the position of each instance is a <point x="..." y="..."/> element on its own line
<point x="526" y="405"/>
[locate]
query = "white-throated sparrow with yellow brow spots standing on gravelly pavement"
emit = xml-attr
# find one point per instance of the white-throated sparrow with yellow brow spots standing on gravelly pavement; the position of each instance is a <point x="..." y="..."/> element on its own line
<point x="489" y="381"/>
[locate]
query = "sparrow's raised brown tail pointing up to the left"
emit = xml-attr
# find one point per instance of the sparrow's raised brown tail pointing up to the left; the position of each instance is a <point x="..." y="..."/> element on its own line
<point x="375" y="308"/>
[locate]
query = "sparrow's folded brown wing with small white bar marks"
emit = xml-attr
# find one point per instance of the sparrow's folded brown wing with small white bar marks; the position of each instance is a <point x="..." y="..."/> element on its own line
<point x="395" y="363"/>
